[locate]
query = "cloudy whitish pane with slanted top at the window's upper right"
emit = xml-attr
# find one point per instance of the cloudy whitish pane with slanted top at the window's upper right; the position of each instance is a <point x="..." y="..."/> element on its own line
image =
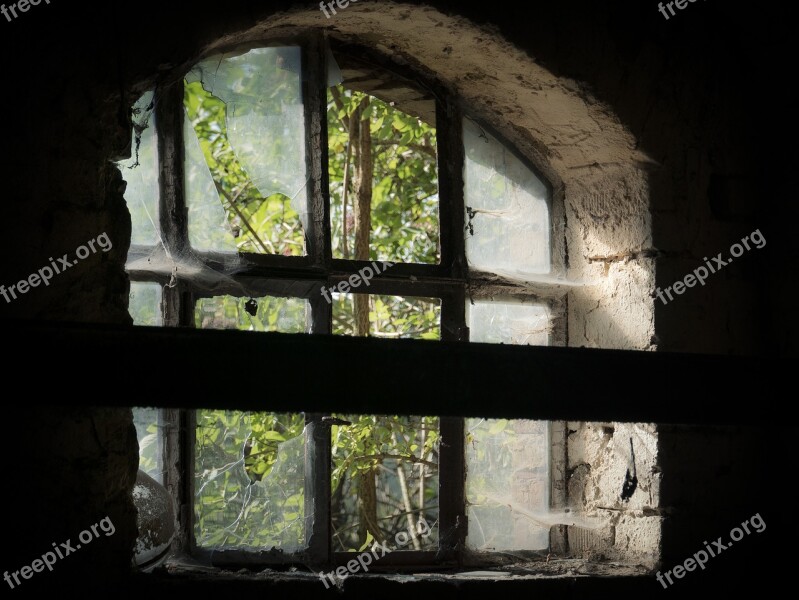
<point x="508" y="230"/>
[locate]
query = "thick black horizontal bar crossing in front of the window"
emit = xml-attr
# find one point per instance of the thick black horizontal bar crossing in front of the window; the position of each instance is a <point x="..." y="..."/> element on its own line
<point x="407" y="377"/>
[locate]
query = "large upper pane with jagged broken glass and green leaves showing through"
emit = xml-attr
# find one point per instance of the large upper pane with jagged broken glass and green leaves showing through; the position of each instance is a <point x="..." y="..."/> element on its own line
<point x="245" y="153"/>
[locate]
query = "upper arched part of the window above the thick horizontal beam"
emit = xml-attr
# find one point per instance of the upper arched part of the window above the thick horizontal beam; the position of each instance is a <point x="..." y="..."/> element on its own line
<point x="349" y="199"/>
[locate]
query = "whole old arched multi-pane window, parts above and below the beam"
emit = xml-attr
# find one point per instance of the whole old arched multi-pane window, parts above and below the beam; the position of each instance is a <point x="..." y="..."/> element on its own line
<point x="306" y="188"/>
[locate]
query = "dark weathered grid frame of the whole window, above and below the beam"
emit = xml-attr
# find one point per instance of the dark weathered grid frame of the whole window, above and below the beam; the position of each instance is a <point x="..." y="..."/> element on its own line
<point x="450" y="281"/>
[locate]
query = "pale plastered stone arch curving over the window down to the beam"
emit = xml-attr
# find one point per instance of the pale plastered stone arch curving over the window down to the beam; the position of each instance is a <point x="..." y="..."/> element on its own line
<point x="599" y="175"/>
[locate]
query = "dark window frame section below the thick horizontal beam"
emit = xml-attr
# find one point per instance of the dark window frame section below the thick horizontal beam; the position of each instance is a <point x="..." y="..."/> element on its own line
<point x="178" y="432"/>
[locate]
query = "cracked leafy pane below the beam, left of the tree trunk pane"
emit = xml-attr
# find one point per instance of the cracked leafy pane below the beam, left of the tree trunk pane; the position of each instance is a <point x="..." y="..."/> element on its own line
<point x="249" y="480"/>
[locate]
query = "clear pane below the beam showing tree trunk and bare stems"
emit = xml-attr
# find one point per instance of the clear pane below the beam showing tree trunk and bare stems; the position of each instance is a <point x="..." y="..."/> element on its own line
<point x="385" y="482"/>
